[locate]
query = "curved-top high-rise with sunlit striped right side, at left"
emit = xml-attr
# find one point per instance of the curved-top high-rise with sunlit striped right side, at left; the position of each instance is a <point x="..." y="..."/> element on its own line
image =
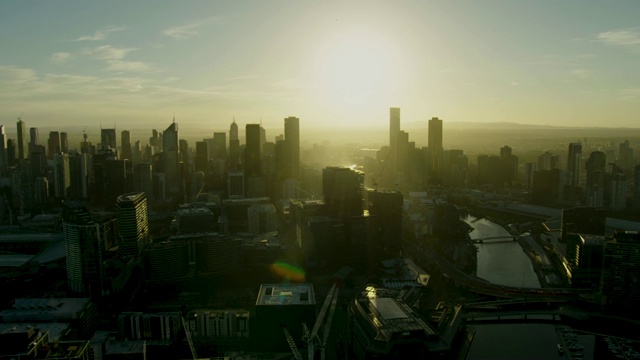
<point x="133" y="223"/>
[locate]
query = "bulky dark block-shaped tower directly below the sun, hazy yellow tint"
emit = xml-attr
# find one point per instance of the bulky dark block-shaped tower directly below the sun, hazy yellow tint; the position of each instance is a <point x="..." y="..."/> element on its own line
<point x="343" y="191"/>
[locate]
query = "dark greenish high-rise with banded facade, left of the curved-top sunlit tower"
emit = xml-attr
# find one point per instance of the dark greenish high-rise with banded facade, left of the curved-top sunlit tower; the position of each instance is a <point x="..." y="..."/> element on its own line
<point x="86" y="238"/>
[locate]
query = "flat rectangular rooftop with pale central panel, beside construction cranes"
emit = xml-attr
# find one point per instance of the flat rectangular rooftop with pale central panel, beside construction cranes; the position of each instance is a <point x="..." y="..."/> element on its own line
<point x="286" y="294"/>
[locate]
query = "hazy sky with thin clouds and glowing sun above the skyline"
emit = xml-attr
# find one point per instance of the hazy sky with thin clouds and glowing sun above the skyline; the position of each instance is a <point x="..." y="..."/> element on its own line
<point x="137" y="64"/>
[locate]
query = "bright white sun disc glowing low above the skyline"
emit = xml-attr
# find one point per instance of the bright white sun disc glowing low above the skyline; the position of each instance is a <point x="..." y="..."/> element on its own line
<point x="357" y="69"/>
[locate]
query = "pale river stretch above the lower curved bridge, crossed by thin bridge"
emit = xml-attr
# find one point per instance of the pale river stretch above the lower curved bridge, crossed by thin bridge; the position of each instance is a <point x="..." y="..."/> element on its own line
<point x="499" y="261"/>
